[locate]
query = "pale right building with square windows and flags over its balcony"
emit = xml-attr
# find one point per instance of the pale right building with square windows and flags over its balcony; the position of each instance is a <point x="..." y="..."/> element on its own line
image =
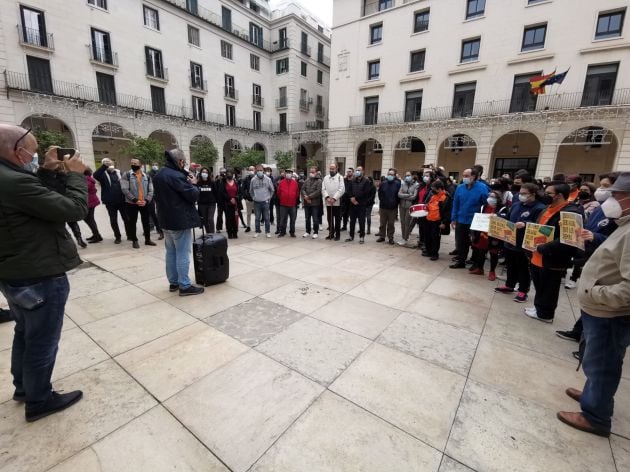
<point x="415" y="82"/>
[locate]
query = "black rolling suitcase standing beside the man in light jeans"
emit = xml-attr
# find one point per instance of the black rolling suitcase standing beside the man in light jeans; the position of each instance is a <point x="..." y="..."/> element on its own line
<point x="210" y="258"/>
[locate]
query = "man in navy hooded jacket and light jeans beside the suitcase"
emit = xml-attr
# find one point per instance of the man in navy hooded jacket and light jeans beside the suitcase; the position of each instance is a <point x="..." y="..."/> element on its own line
<point x="176" y="193"/>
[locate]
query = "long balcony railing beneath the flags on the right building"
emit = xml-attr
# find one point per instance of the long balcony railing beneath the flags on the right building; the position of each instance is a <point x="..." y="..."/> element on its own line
<point x="555" y="102"/>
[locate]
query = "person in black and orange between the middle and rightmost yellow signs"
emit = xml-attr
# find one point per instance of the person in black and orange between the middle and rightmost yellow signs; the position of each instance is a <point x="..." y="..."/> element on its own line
<point x="551" y="260"/>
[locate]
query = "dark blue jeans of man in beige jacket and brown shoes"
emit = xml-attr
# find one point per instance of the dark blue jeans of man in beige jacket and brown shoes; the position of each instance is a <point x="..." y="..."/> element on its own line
<point x="606" y="342"/>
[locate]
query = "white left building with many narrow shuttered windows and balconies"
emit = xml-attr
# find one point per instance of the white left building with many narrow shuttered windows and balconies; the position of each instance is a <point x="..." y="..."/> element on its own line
<point x="231" y="71"/>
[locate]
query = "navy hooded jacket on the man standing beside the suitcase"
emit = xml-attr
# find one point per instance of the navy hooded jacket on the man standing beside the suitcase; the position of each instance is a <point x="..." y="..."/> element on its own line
<point x="175" y="197"/>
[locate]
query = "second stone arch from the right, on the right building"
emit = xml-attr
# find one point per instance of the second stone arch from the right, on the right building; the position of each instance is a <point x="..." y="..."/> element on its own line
<point x="515" y="150"/>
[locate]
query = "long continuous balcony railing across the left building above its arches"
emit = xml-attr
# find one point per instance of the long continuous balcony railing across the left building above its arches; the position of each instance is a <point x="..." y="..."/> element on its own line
<point x="82" y="95"/>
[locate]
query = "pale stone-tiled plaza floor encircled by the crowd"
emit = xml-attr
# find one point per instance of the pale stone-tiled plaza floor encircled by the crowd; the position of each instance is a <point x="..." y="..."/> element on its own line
<point x="314" y="356"/>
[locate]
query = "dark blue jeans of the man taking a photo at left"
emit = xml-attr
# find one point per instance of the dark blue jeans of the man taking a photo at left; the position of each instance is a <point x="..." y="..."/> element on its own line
<point x="37" y="307"/>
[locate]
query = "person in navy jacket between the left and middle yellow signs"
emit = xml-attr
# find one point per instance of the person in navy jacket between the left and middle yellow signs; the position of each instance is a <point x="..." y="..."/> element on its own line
<point x="526" y="210"/>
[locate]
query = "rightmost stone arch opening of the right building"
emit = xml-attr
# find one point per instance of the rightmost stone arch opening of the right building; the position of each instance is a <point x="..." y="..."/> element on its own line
<point x="589" y="151"/>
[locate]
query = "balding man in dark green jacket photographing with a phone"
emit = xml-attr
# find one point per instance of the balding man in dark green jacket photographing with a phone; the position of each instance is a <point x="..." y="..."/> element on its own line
<point x="35" y="254"/>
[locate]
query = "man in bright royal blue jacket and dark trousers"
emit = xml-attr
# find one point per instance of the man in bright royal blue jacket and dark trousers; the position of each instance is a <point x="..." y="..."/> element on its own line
<point x="469" y="197"/>
